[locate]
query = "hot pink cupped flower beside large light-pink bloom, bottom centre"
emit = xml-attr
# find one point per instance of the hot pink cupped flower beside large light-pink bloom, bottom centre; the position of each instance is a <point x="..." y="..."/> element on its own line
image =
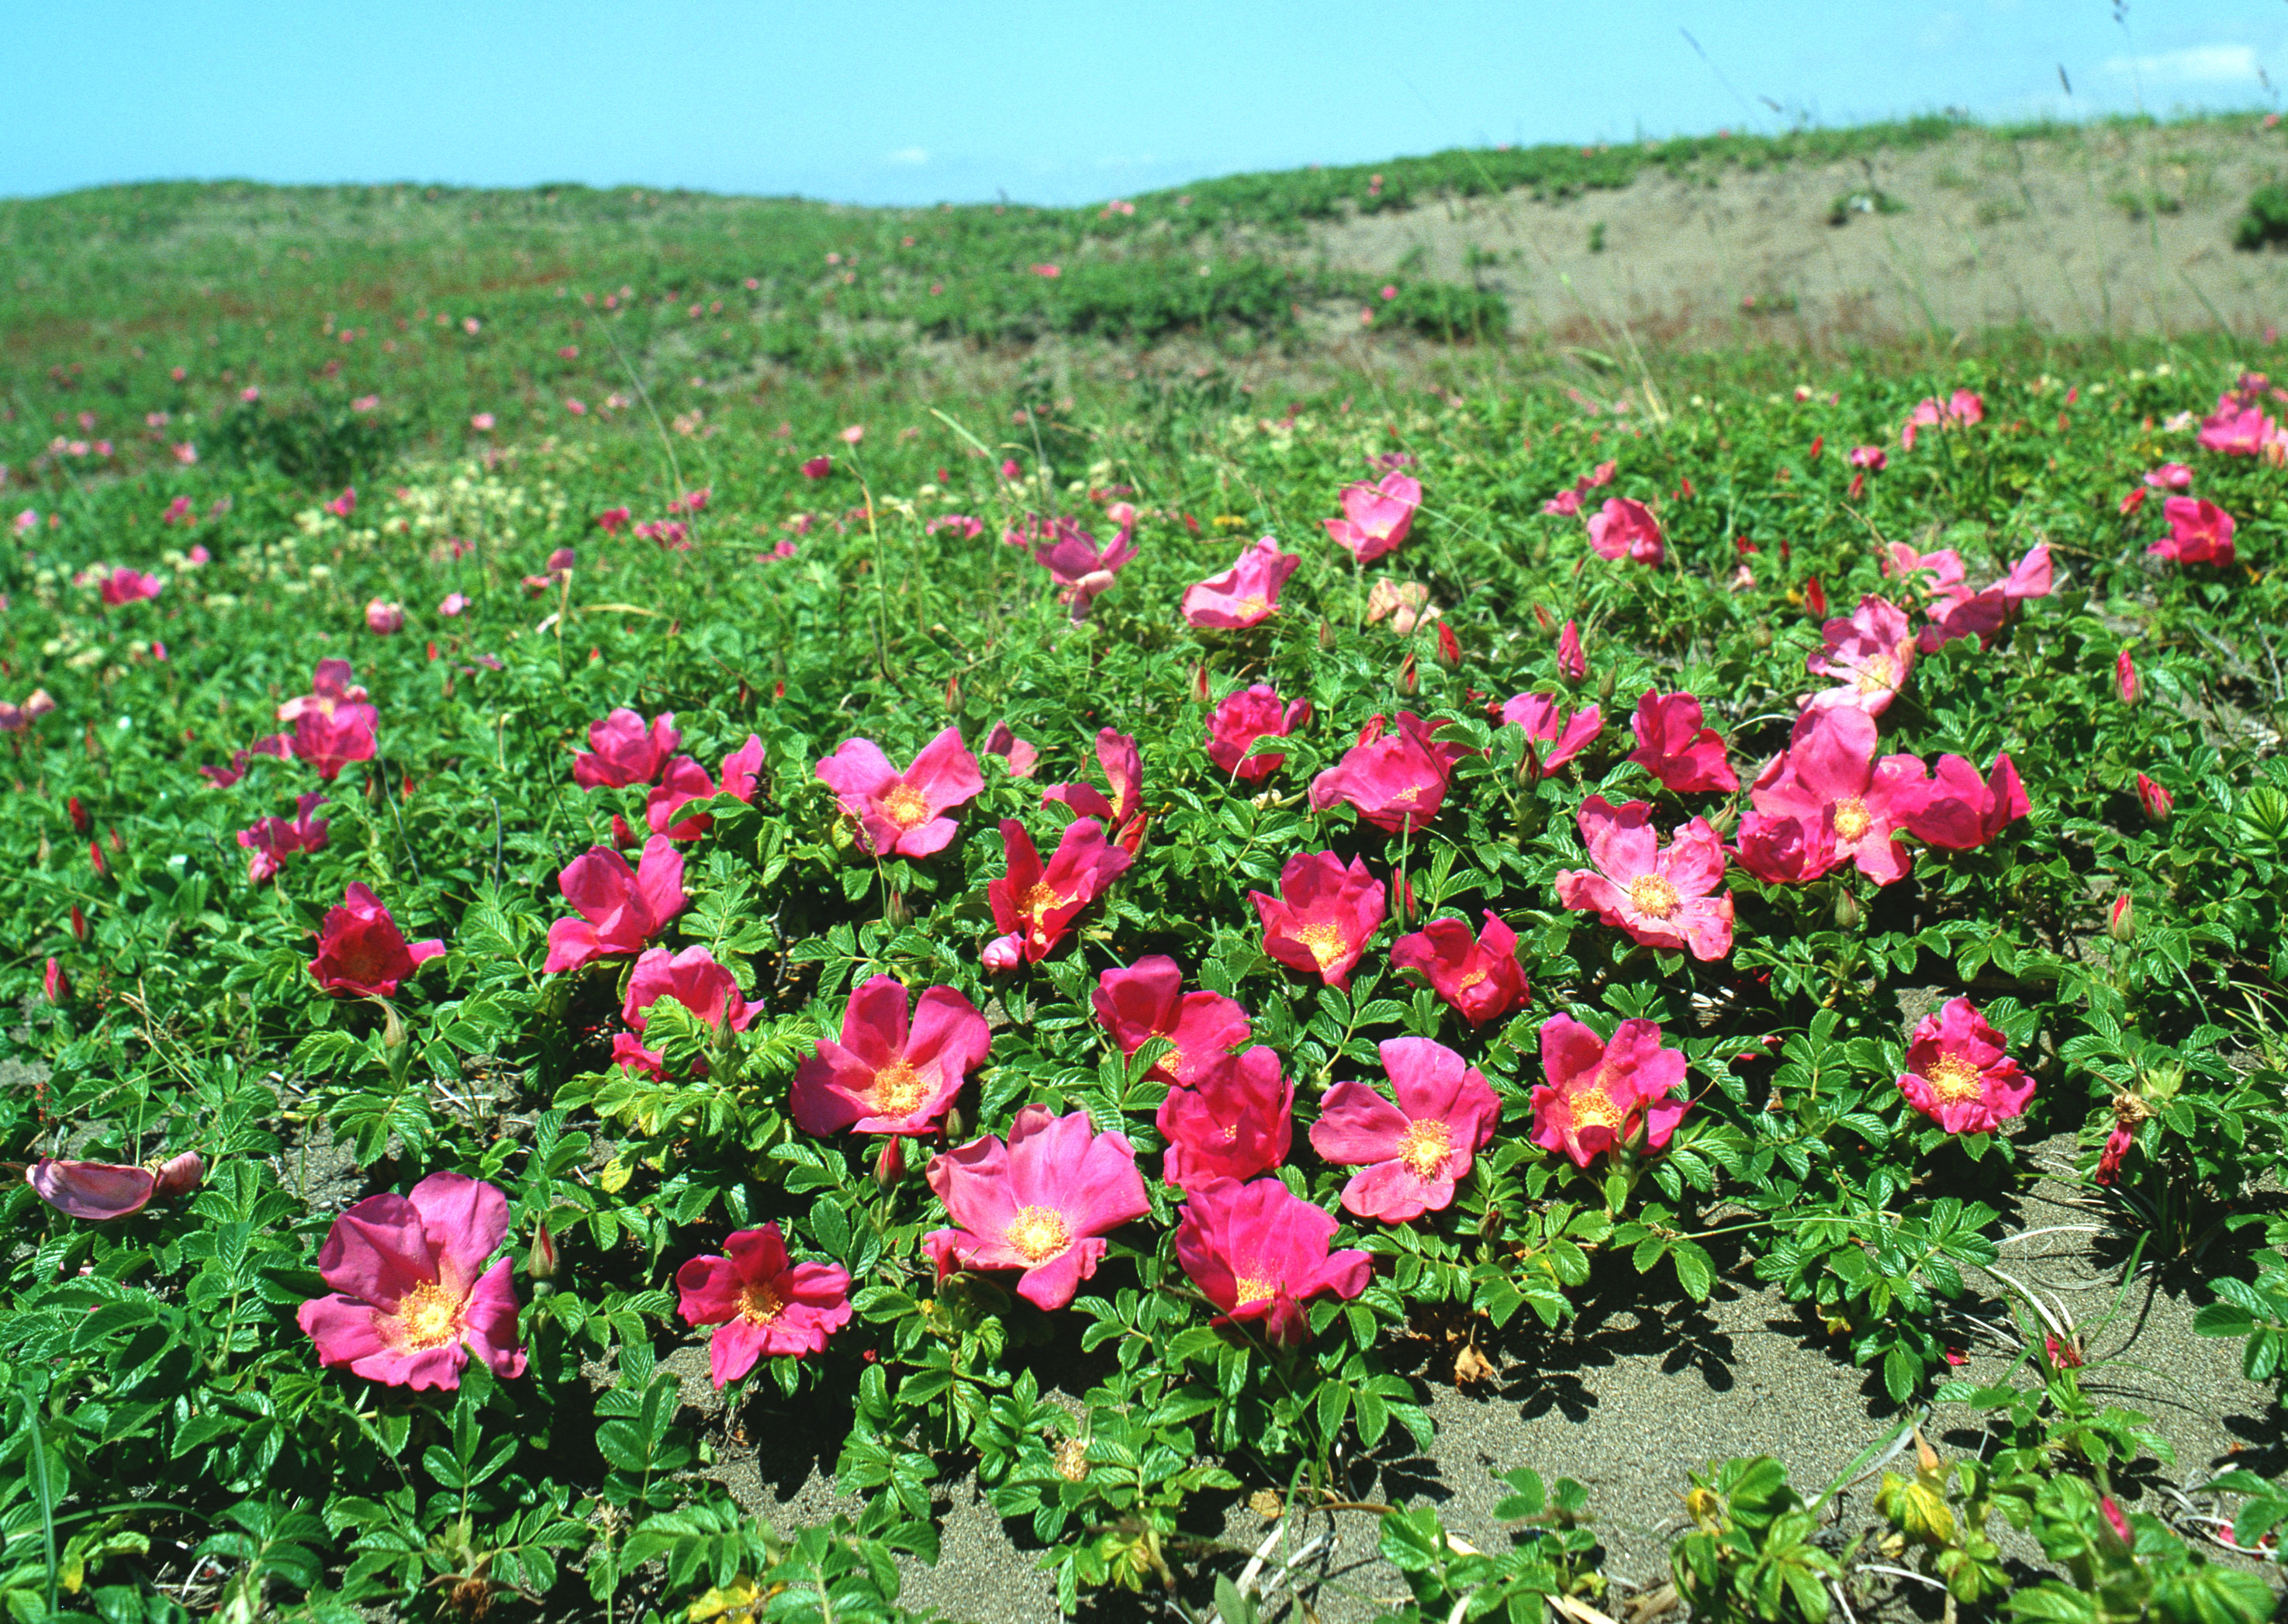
<point x="1260" y="1252"/>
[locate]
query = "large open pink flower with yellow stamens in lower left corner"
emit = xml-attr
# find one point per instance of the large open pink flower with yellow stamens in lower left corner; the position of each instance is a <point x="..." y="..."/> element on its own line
<point x="413" y="1296"/>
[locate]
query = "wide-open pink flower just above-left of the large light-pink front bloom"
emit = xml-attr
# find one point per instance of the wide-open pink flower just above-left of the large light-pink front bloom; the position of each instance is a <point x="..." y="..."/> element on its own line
<point x="889" y="1076"/>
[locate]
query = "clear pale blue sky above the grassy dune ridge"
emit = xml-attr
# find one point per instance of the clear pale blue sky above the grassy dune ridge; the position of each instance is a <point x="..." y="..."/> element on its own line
<point x="953" y="99"/>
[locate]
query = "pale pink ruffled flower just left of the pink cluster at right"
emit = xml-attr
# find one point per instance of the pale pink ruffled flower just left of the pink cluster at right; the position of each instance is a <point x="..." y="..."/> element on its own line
<point x="1660" y="895"/>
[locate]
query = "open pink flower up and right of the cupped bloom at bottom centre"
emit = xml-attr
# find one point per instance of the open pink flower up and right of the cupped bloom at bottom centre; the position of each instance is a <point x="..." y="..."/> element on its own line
<point x="1411" y="1154"/>
